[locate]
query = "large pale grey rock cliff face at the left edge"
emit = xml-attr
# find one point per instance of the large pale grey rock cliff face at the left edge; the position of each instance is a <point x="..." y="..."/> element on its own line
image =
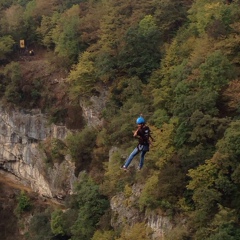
<point x="21" y="133"/>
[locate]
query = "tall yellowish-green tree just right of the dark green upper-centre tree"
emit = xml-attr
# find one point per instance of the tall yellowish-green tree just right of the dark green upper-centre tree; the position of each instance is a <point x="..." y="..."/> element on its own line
<point x="174" y="72"/>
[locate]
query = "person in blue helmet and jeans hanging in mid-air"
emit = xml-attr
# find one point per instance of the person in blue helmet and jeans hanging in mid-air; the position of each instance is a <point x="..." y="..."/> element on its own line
<point x="143" y="134"/>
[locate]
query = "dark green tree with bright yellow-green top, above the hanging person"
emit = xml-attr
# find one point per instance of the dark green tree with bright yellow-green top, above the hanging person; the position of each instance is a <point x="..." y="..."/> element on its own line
<point x="141" y="54"/>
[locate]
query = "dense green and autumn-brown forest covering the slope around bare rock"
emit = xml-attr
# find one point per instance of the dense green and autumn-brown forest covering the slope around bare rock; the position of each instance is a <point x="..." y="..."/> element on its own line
<point x="177" y="62"/>
